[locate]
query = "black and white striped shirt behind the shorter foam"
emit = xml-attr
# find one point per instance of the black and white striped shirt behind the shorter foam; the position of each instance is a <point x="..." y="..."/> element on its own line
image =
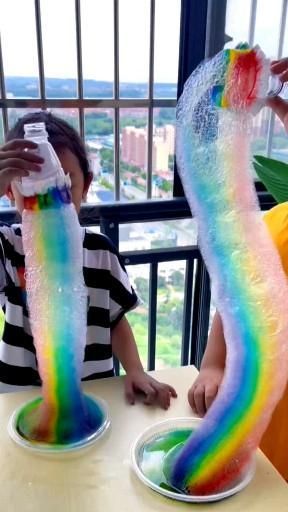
<point x="110" y="296"/>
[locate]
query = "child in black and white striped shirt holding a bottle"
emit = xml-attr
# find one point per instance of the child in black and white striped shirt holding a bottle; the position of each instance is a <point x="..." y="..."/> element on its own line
<point x="110" y="295"/>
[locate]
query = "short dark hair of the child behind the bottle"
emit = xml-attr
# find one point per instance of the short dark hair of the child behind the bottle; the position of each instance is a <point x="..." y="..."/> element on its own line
<point x="61" y="135"/>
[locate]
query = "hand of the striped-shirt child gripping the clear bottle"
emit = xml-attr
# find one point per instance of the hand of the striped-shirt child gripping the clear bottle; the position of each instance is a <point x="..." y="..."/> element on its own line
<point x="16" y="162"/>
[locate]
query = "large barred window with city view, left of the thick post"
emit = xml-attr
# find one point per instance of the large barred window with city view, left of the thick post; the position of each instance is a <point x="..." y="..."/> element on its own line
<point x="111" y="71"/>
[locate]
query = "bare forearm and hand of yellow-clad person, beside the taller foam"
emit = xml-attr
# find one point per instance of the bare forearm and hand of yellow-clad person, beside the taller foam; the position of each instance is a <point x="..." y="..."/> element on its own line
<point x="205" y="388"/>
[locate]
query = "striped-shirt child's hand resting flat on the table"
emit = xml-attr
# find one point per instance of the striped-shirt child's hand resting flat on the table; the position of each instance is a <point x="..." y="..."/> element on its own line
<point x="155" y="392"/>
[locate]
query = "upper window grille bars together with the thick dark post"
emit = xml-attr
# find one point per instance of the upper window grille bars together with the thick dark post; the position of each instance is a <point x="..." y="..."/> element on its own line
<point x="202" y="34"/>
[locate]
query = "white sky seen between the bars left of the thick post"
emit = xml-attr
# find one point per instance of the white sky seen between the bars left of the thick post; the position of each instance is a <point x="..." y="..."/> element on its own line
<point x="18" y="36"/>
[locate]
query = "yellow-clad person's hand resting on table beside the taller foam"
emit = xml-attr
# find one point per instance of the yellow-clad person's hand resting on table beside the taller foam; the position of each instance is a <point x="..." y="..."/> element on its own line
<point x="204" y="390"/>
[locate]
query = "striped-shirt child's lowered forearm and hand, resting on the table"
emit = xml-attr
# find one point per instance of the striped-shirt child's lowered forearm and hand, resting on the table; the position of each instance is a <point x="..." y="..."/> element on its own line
<point x="136" y="380"/>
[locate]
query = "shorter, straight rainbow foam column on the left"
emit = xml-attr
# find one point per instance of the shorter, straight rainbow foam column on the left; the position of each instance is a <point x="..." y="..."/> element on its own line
<point x="57" y="301"/>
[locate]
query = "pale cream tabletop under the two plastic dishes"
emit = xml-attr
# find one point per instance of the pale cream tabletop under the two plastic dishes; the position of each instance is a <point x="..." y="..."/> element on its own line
<point x="101" y="477"/>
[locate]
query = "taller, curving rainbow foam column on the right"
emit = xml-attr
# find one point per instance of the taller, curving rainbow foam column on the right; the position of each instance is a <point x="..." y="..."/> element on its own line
<point x="249" y="287"/>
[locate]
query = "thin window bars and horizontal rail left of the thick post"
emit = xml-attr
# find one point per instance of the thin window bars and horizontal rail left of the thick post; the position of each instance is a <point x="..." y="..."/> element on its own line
<point x="80" y="103"/>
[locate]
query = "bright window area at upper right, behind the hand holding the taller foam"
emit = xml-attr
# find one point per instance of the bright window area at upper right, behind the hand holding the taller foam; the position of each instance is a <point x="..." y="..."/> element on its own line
<point x="259" y="25"/>
